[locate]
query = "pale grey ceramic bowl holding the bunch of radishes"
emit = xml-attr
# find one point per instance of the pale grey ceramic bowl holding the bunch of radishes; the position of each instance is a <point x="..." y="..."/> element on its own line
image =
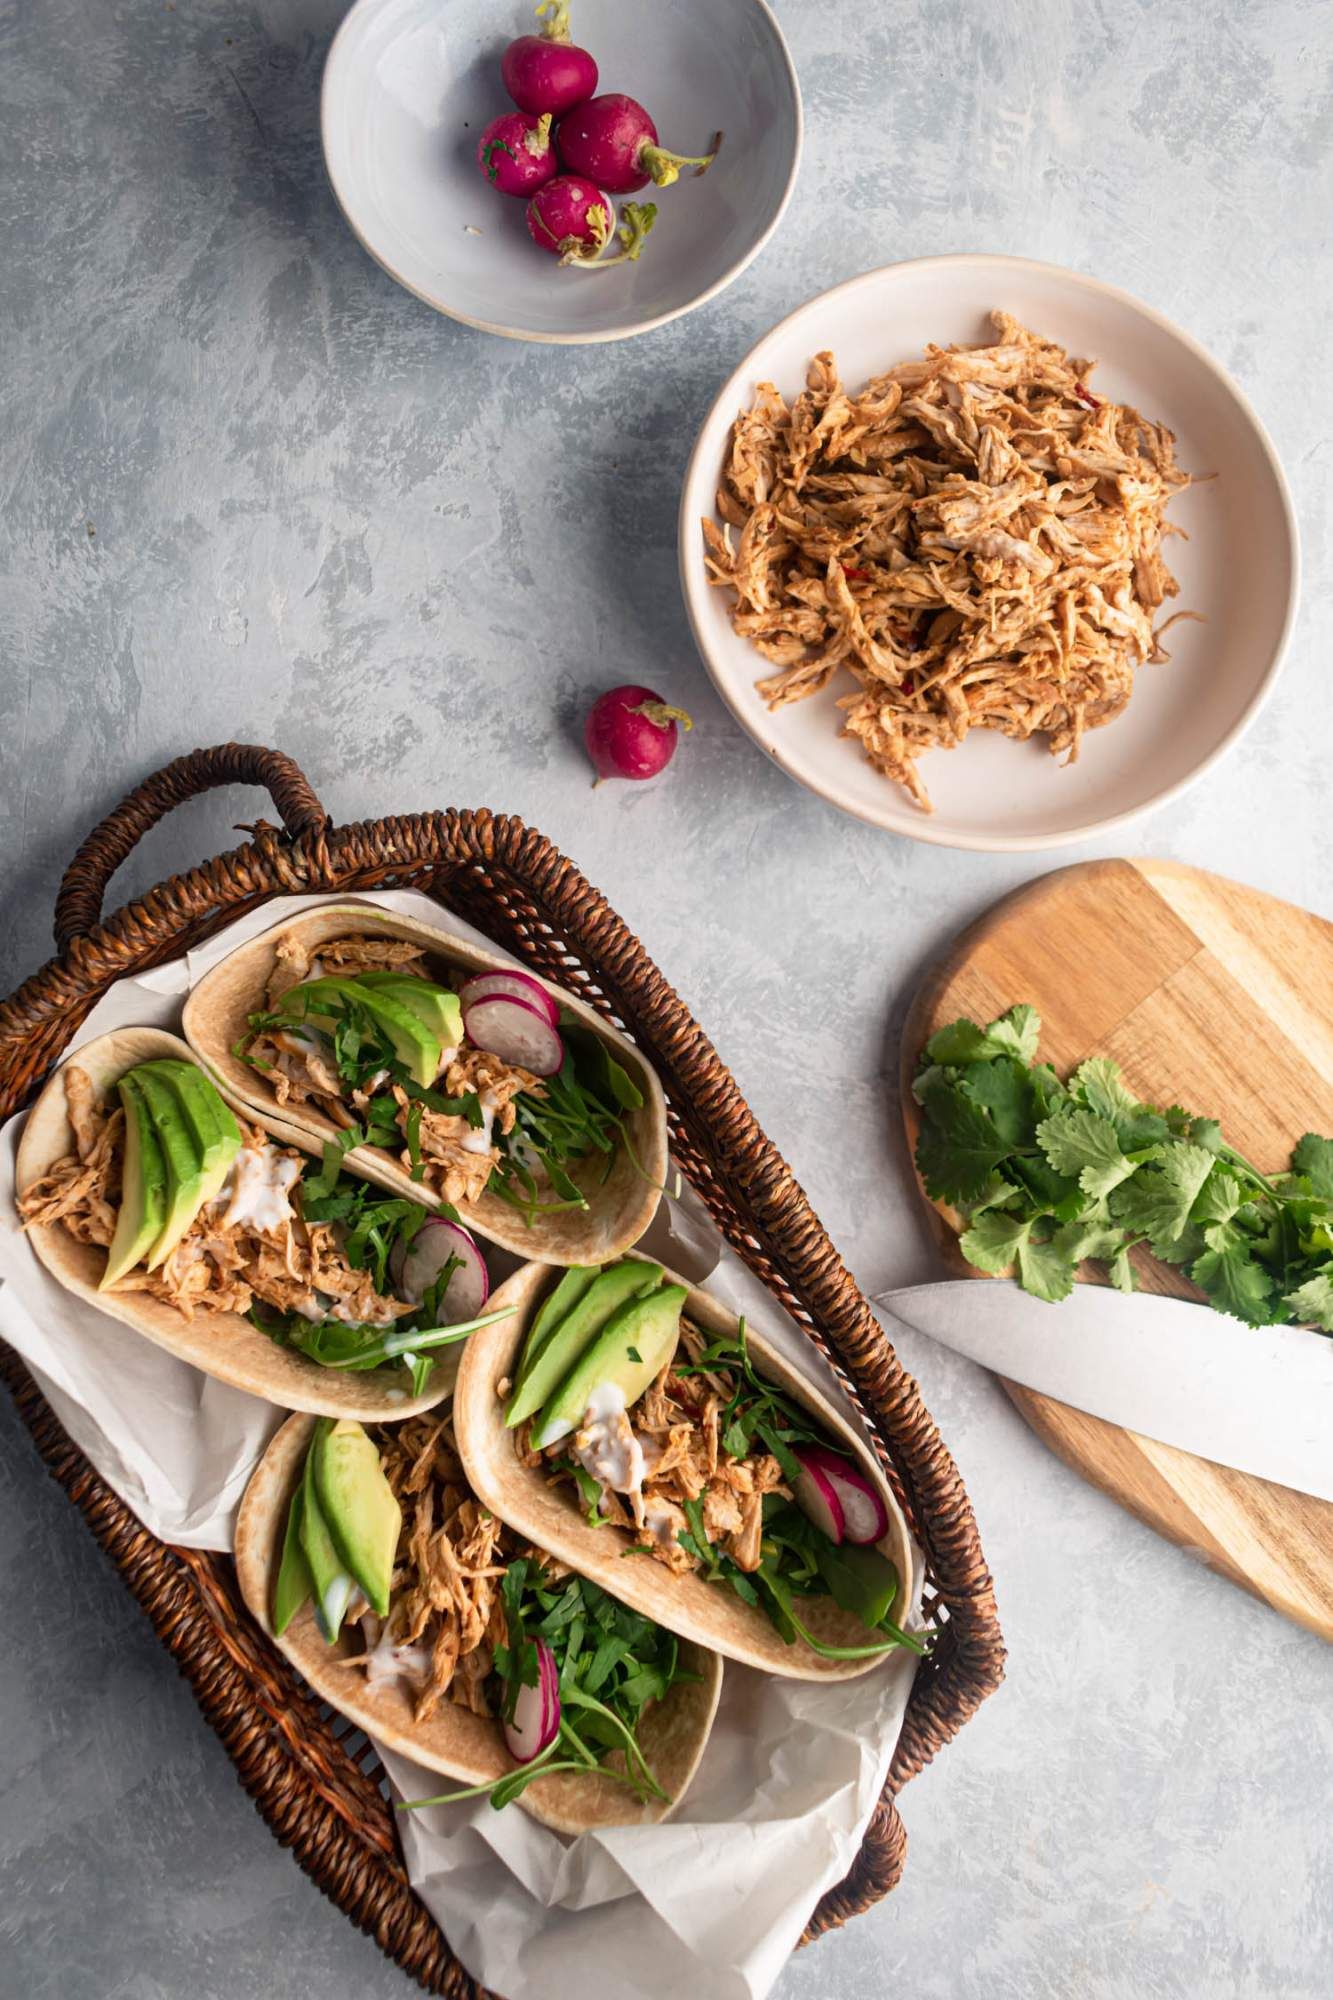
<point x="411" y="85"/>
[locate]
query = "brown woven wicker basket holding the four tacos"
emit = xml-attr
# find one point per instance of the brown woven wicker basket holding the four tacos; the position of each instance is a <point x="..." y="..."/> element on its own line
<point x="309" y="1773"/>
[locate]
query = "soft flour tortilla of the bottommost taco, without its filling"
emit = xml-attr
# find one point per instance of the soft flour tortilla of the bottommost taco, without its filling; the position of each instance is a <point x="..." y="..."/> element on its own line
<point x="459" y="1745"/>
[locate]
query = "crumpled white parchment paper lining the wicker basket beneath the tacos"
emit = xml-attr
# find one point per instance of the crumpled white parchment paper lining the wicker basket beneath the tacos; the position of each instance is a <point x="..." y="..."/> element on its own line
<point x="714" y="1901"/>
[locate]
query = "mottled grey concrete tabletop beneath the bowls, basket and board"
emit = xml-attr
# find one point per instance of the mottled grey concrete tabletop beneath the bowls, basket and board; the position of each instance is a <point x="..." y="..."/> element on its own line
<point x="257" y="491"/>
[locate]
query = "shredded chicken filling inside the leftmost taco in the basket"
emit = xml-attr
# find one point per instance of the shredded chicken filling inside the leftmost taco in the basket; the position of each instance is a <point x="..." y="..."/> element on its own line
<point x="249" y="1243"/>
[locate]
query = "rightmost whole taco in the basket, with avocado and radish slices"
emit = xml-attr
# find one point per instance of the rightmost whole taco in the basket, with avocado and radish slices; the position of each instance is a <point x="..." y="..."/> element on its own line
<point x="637" y="1431"/>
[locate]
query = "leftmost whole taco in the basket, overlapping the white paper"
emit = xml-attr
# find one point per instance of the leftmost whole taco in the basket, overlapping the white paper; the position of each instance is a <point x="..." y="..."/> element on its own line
<point x="147" y="1197"/>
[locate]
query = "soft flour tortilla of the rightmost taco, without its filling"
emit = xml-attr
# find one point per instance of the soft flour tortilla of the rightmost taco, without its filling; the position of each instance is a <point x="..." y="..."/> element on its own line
<point x="549" y="1515"/>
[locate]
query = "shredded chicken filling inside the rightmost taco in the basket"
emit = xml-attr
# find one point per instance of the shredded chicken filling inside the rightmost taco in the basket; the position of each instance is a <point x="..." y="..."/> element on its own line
<point x="678" y="1431"/>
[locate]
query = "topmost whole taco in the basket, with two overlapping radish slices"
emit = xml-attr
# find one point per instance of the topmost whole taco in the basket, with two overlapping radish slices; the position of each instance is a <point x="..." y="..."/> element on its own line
<point x="509" y="1103"/>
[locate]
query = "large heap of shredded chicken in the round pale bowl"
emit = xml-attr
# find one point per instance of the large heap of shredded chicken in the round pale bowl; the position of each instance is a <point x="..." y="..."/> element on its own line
<point x="974" y="537"/>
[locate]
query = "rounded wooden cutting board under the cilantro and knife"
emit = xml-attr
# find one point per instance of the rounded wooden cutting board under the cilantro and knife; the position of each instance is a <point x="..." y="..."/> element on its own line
<point x="1214" y="997"/>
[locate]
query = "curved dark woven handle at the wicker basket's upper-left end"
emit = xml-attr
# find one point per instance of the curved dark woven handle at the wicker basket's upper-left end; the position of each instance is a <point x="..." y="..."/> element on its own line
<point x="83" y="887"/>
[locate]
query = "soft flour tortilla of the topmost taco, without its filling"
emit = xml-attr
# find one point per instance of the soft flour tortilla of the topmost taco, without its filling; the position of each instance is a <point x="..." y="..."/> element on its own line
<point x="219" y="1017"/>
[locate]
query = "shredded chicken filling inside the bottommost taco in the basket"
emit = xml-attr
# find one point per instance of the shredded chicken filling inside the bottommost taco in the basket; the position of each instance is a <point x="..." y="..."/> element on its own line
<point x="445" y="1613"/>
